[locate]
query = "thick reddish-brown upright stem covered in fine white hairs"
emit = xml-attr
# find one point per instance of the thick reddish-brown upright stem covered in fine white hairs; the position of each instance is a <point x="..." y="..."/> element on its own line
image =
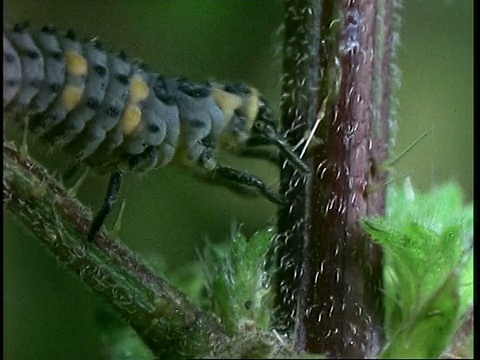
<point x="337" y="107"/>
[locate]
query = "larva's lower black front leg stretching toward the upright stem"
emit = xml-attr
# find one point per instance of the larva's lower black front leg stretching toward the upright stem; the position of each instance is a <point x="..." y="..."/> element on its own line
<point x="240" y="177"/>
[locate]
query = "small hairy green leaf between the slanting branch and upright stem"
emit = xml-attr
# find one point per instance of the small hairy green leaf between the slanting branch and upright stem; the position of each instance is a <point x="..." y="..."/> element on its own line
<point x="239" y="281"/>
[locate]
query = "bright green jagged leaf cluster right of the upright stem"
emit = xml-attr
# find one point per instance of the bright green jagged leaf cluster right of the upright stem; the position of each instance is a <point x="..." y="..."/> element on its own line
<point x="427" y="241"/>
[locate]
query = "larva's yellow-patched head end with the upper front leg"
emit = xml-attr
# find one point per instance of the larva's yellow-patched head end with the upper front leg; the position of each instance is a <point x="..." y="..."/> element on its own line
<point x="250" y="121"/>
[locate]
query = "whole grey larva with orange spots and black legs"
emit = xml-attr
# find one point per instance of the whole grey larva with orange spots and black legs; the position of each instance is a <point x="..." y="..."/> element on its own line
<point x="115" y="116"/>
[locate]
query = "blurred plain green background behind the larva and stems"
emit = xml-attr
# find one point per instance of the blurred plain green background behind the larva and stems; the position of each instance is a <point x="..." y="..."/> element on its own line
<point x="48" y="313"/>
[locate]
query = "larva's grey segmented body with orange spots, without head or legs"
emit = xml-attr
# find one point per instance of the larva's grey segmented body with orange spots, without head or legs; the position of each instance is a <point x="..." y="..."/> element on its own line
<point x="100" y="107"/>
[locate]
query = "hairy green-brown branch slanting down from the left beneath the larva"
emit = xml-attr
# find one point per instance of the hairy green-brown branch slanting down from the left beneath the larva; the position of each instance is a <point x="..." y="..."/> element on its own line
<point x="162" y="316"/>
